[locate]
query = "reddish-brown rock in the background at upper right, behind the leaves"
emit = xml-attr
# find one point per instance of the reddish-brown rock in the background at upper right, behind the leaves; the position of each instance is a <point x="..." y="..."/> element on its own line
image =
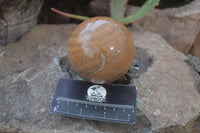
<point x="179" y="26"/>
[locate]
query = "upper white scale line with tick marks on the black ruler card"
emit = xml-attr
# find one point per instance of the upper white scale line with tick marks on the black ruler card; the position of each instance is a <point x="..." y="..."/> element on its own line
<point x="95" y="103"/>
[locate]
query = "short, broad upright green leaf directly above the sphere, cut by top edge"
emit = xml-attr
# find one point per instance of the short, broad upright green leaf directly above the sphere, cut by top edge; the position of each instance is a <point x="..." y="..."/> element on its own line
<point x="117" y="8"/>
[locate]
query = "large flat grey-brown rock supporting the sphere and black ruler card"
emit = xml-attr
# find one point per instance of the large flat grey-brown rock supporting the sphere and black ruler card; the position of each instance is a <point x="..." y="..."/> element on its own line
<point x="30" y="69"/>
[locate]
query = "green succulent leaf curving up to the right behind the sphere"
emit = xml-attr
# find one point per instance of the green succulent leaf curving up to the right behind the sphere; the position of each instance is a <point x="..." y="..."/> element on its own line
<point x="146" y="7"/>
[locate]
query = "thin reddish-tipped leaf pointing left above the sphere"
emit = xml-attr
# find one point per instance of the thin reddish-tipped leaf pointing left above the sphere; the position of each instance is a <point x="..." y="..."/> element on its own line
<point x="69" y="15"/>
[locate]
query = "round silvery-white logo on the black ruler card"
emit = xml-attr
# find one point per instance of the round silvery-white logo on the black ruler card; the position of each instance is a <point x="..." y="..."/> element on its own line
<point x="96" y="93"/>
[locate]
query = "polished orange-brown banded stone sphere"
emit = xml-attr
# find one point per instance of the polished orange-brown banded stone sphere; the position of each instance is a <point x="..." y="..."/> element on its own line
<point x="101" y="50"/>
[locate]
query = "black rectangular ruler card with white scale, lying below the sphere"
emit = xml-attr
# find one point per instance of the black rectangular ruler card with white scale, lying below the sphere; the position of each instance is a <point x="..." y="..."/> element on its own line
<point x="107" y="102"/>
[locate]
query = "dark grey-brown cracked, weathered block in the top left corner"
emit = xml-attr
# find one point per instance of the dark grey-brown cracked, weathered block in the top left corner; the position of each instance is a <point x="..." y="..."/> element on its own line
<point x="16" y="18"/>
